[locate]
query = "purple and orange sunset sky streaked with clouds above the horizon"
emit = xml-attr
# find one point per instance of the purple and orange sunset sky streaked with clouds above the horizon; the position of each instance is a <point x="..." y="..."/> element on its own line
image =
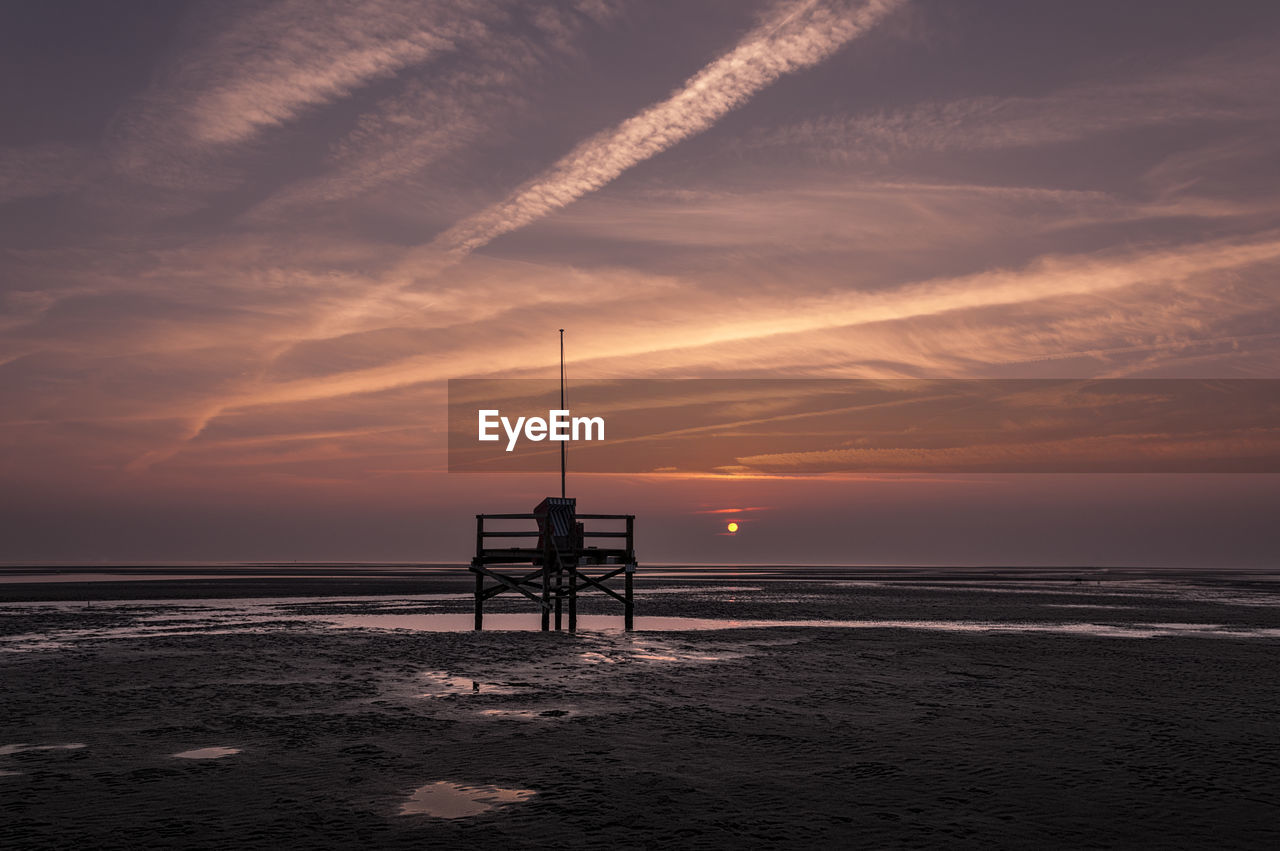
<point x="244" y="246"/>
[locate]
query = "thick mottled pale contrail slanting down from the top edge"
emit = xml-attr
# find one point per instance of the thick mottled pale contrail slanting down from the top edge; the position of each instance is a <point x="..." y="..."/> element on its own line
<point x="803" y="35"/>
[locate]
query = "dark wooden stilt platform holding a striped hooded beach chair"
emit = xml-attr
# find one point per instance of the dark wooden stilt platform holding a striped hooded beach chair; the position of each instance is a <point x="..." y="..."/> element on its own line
<point x="560" y="555"/>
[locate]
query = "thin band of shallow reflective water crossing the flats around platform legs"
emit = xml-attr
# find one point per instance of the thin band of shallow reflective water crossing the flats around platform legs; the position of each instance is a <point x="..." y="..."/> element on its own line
<point x="1128" y="610"/>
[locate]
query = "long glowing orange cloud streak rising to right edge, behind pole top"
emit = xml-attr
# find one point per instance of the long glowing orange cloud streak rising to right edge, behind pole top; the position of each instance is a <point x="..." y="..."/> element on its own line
<point x="706" y="333"/>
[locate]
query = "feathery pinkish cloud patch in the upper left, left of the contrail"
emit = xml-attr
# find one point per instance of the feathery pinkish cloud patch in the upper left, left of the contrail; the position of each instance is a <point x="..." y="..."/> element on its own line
<point x="272" y="67"/>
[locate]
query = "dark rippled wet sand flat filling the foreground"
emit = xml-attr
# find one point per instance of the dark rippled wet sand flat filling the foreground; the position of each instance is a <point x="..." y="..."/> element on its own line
<point x="761" y="738"/>
